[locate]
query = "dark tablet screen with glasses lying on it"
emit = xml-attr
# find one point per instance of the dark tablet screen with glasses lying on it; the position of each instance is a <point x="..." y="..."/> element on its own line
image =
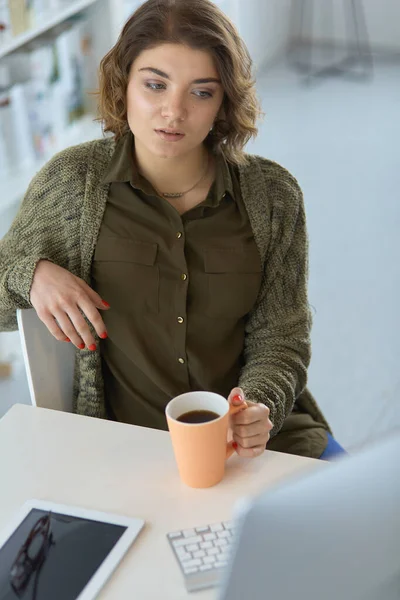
<point x="53" y="556"/>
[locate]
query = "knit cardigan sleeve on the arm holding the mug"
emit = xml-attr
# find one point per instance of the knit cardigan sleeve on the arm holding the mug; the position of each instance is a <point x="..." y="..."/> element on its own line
<point x="277" y="339"/>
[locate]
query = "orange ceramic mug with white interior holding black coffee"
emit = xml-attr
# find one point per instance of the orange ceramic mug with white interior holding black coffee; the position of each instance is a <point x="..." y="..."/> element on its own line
<point x="201" y="449"/>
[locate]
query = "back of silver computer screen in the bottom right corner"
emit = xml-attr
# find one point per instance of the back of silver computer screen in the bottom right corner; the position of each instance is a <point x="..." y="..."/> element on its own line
<point x="332" y="535"/>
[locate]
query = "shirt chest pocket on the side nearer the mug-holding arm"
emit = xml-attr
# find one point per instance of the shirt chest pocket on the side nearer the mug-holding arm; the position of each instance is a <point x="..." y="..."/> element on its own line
<point x="233" y="279"/>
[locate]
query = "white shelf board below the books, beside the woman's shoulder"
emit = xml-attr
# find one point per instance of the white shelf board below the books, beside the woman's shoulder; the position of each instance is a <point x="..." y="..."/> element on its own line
<point x="13" y="186"/>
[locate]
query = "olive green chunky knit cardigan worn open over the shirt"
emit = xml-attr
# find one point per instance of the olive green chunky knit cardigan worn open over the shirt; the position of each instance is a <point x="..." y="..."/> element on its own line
<point x="59" y="220"/>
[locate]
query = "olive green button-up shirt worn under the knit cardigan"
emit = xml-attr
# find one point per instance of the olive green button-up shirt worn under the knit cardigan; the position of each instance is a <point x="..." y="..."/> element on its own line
<point x="180" y="287"/>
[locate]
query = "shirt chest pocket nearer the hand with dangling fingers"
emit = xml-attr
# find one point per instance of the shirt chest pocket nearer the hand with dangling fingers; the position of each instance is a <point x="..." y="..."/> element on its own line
<point x="125" y="271"/>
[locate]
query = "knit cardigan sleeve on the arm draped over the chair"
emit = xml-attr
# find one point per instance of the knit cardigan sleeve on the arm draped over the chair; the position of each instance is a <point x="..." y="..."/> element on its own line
<point x="45" y="227"/>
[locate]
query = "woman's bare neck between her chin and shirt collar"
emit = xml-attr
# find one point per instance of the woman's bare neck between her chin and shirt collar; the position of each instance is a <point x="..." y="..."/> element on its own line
<point x="175" y="174"/>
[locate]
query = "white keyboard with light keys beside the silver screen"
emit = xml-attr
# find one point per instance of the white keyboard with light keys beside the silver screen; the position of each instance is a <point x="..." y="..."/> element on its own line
<point x="202" y="553"/>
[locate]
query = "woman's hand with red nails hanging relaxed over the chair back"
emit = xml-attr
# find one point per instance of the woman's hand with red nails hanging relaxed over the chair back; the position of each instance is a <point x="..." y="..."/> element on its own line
<point x="60" y="298"/>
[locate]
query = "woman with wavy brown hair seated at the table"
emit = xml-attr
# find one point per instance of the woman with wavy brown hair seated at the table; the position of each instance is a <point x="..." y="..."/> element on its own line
<point x="171" y="259"/>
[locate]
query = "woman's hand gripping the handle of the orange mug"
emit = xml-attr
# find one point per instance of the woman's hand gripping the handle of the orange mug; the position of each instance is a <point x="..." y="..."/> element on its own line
<point x="250" y="427"/>
